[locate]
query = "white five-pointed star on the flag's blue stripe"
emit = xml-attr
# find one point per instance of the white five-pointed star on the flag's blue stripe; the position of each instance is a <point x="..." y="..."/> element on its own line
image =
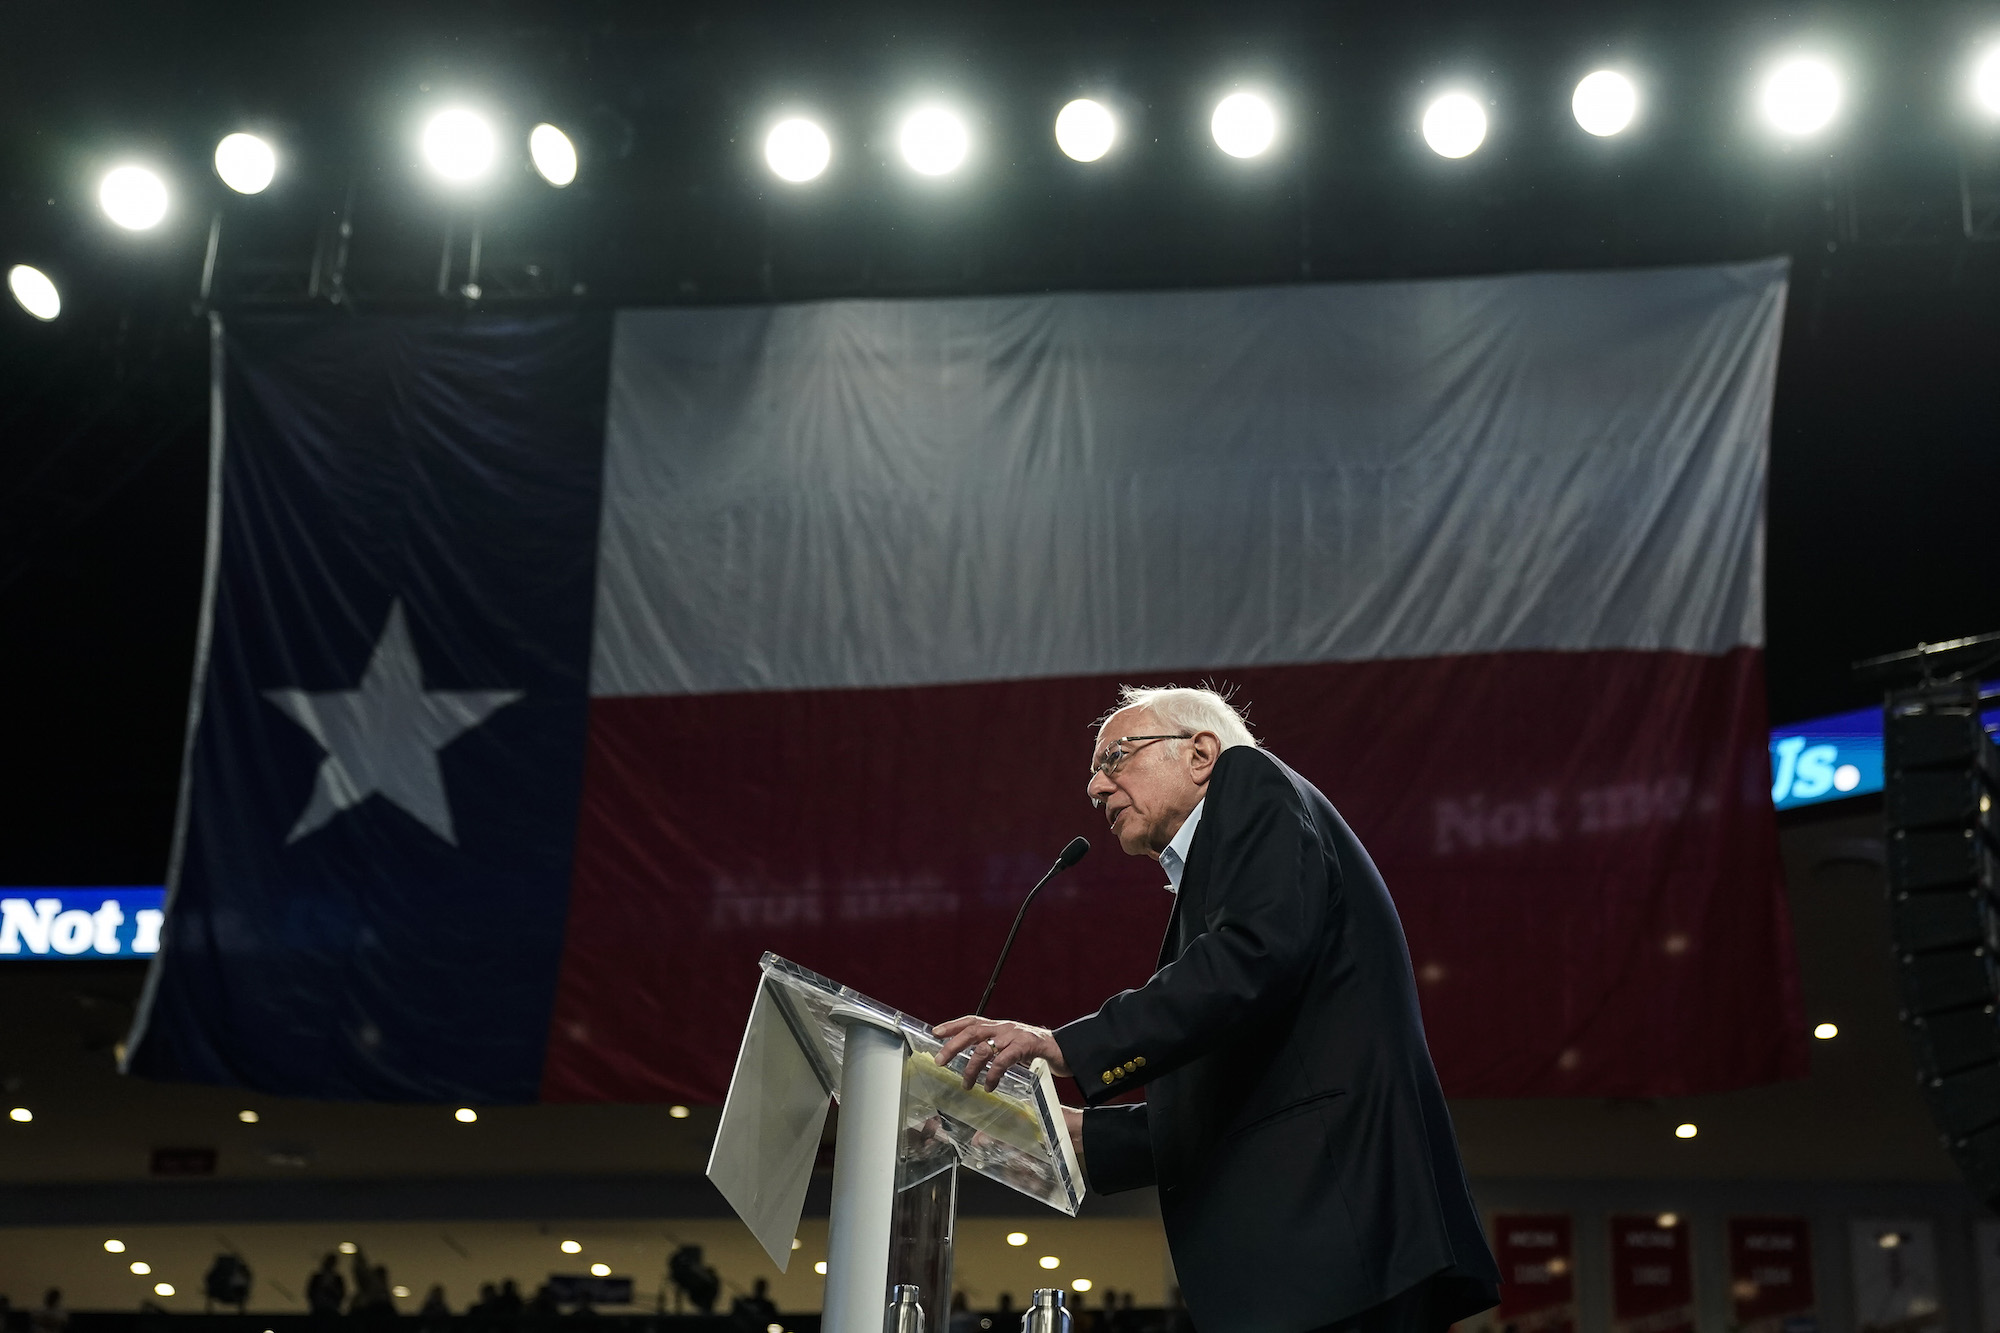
<point x="385" y="736"/>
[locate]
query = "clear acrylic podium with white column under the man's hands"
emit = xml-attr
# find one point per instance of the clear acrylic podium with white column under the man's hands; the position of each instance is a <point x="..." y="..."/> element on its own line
<point x="905" y="1130"/>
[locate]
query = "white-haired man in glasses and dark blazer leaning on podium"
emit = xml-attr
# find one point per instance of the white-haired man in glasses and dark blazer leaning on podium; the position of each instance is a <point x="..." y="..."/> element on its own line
<point x="1307" y="1166"/>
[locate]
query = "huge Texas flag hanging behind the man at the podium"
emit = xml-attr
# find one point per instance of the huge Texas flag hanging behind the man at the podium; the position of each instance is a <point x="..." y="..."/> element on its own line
<point x="555" y="668"/>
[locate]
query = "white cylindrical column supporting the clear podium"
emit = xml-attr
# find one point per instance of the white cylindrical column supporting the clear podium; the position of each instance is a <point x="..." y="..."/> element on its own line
<point x="865" y="1176"/>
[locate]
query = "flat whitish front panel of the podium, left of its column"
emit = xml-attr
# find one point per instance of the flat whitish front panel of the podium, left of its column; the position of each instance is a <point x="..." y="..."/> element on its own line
<point x="771" y="1130"/>
